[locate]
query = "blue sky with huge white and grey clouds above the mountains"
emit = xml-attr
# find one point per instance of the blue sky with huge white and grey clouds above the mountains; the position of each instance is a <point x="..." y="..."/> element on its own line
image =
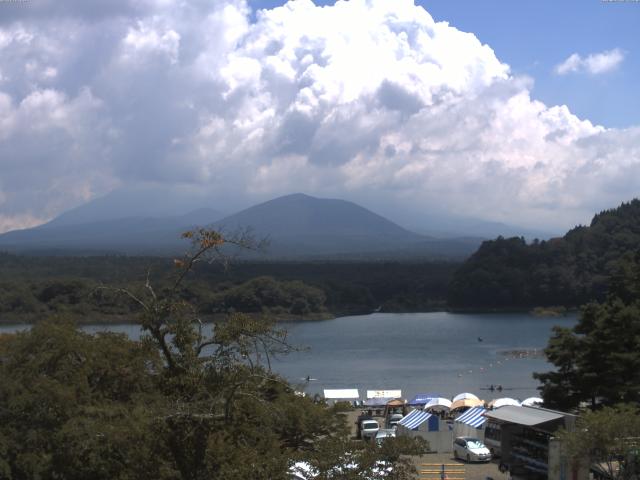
<point x="519" y="112"/>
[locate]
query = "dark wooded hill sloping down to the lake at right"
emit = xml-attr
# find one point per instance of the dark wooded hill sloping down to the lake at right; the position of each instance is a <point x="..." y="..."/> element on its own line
<point x="572" y="270"/>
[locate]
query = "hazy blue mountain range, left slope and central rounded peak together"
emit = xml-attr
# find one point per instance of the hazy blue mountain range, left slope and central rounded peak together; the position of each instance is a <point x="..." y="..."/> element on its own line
<point x="298" y="226"/>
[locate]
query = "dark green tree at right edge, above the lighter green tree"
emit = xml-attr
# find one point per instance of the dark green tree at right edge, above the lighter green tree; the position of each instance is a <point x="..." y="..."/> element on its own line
<point x="598" y="360"/>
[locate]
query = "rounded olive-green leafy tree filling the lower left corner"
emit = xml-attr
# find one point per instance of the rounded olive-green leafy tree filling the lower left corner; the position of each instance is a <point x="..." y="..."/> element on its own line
<point x="73" y="405"/>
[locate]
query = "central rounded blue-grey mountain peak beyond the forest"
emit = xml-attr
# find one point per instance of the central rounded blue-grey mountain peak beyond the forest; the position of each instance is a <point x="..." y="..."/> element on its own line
<point x="299" y="225"/>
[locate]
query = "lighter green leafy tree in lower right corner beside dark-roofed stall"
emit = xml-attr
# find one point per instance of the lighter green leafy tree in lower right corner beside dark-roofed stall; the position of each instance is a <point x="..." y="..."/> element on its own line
<point x="608" y="439"/>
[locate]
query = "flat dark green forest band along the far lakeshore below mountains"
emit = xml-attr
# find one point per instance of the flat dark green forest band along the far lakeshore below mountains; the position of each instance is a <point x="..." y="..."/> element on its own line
<point x="33" y="287"/>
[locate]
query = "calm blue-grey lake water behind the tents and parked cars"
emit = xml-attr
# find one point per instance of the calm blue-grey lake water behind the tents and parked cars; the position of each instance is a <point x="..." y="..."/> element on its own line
<point x="435" y="352"/>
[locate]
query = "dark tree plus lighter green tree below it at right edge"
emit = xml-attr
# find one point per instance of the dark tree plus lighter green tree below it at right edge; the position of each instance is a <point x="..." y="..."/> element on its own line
<point x="597" y="374"/>
